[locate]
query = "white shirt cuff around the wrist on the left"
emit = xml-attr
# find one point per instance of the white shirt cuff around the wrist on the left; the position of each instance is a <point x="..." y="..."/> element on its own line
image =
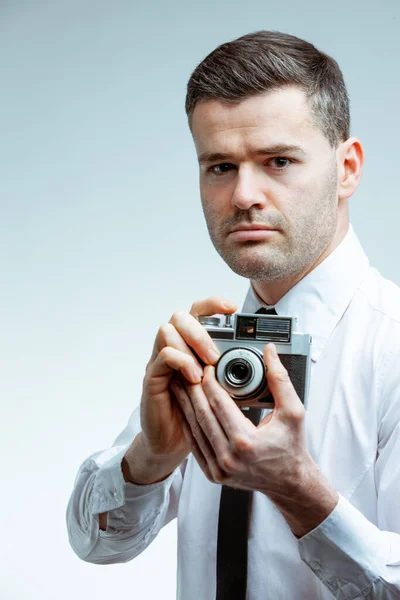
<point x="111" y="491"/>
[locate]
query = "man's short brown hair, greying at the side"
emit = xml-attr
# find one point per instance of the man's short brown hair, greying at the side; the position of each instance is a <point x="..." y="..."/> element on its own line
<point x="268" y="60"/>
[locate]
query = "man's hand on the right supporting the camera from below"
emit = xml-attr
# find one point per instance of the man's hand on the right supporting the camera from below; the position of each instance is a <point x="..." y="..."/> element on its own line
<point x="271" y="458"/>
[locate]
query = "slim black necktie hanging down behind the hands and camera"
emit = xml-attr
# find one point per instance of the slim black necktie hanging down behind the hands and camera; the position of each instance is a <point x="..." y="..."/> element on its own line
<point x="233" y="529"/>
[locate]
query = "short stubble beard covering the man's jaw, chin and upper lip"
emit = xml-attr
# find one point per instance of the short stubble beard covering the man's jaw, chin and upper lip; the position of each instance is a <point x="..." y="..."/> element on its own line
<point x="290" y="252"/>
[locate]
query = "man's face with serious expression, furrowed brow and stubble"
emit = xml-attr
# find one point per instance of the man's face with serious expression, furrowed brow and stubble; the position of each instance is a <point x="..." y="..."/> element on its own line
<point x="272" y="167"/>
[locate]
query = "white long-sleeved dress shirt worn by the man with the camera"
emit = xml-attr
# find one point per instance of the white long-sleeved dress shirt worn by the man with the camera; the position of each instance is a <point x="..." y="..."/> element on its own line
<point x="353" y="434"/>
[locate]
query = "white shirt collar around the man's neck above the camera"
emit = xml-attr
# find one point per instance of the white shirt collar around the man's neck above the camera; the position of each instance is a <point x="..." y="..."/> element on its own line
<point x="319" y="300"/>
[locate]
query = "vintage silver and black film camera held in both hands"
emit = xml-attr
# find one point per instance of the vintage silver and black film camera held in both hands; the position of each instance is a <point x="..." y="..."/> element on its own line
<point x="241" y="339"/>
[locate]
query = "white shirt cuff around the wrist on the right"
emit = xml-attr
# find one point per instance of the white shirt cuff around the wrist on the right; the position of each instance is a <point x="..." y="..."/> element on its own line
<point x="346" y="551"/>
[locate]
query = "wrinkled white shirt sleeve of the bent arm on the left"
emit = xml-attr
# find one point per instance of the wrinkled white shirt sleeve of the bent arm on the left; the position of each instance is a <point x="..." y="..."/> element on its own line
<point x="136" y="513"/>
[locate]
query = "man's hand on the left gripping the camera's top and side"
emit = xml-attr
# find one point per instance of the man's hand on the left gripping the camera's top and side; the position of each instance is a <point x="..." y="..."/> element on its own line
<point x="179" y="344"/>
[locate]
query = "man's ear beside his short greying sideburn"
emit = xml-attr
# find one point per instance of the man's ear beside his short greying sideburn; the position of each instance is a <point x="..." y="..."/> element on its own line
<point x="350" y="159"/>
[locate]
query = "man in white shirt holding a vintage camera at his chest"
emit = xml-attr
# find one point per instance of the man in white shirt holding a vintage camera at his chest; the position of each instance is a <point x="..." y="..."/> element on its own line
<point x="269" y="116"/>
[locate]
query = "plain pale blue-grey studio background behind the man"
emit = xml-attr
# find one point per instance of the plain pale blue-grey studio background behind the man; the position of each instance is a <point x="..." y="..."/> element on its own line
<point x="102" y="236"/>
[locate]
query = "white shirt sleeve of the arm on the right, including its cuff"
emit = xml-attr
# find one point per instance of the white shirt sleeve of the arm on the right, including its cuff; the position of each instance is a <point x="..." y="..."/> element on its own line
<point x="352" y="556"/>
